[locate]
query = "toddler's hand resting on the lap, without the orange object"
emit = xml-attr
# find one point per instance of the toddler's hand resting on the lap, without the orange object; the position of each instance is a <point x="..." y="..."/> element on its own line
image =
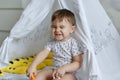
<point x="58" y="73"/>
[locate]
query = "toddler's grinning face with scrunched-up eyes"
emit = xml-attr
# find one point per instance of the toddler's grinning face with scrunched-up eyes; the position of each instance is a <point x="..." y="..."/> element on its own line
<point x="61" y="30"/>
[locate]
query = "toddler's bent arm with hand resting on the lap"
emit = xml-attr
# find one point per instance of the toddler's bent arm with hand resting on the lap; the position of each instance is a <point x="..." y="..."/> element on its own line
<point x="73" y="66"/>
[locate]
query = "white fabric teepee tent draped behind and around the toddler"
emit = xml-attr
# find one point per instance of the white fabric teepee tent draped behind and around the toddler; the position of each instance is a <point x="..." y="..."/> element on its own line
<point x="95" y="32"/>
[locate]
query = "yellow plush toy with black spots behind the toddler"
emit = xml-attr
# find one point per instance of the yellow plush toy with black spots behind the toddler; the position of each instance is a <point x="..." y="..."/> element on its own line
<point x="19" y="66"/>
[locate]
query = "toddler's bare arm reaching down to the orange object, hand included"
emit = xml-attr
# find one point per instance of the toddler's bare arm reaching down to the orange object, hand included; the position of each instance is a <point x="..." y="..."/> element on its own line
<point x="38" y="59"/>
